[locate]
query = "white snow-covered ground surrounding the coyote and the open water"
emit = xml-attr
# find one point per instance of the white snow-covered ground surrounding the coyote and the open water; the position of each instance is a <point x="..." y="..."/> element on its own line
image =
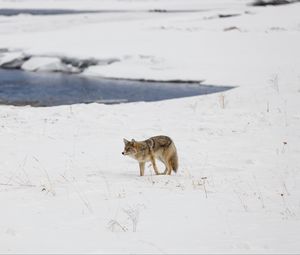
<point x="66" y="188"/>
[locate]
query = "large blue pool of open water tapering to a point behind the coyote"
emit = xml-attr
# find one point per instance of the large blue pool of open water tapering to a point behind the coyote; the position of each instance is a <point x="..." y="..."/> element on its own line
<point x="51" y="89"/>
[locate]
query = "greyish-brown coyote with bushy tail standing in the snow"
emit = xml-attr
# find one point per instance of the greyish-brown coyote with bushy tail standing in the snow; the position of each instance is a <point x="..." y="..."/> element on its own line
<point x="160" y="147"/>
